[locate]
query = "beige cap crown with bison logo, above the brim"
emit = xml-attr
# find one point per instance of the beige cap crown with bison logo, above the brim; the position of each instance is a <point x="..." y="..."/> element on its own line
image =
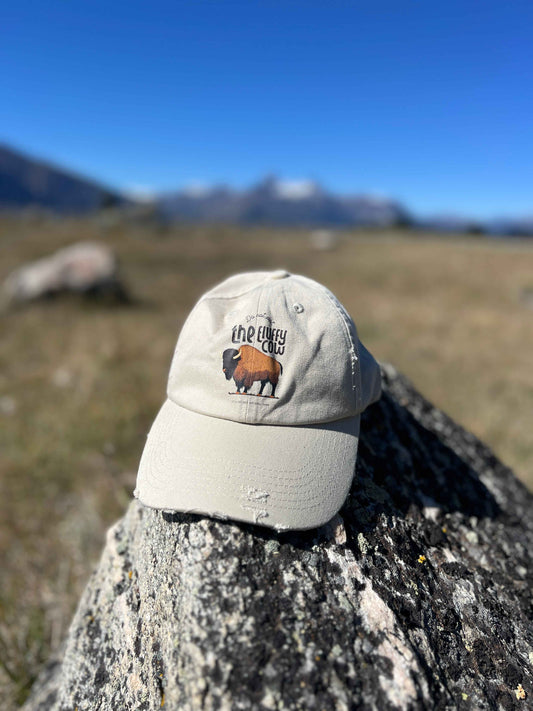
<point x="272" y="348"/>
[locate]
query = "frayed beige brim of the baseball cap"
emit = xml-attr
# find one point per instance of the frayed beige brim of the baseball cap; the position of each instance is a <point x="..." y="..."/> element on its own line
<point x="276" y="476"/>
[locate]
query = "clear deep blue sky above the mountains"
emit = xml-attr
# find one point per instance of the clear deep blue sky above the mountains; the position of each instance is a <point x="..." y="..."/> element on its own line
<point x="428" y="102"/>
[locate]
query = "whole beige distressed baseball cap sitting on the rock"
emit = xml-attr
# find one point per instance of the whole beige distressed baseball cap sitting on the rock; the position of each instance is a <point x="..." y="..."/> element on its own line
<point x="265" y="392"/>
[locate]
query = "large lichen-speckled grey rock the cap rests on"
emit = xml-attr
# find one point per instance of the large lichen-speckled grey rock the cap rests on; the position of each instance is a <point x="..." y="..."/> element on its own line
<point x="416" y="596"/>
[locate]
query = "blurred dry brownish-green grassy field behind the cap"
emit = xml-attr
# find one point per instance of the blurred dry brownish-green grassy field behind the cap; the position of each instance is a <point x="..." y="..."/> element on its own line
<point x="80" y="384"/>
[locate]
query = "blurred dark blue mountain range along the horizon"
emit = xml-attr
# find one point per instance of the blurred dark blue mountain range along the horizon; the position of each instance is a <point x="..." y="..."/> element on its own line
<point x="26" y="182"/>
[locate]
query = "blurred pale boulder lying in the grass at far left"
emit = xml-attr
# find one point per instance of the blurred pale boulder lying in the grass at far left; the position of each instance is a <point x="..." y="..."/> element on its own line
<point x="87" y="268"/>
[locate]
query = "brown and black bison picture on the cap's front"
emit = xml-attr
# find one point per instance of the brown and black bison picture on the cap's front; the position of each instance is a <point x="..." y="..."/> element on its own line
<point x="248" y="365"/>
